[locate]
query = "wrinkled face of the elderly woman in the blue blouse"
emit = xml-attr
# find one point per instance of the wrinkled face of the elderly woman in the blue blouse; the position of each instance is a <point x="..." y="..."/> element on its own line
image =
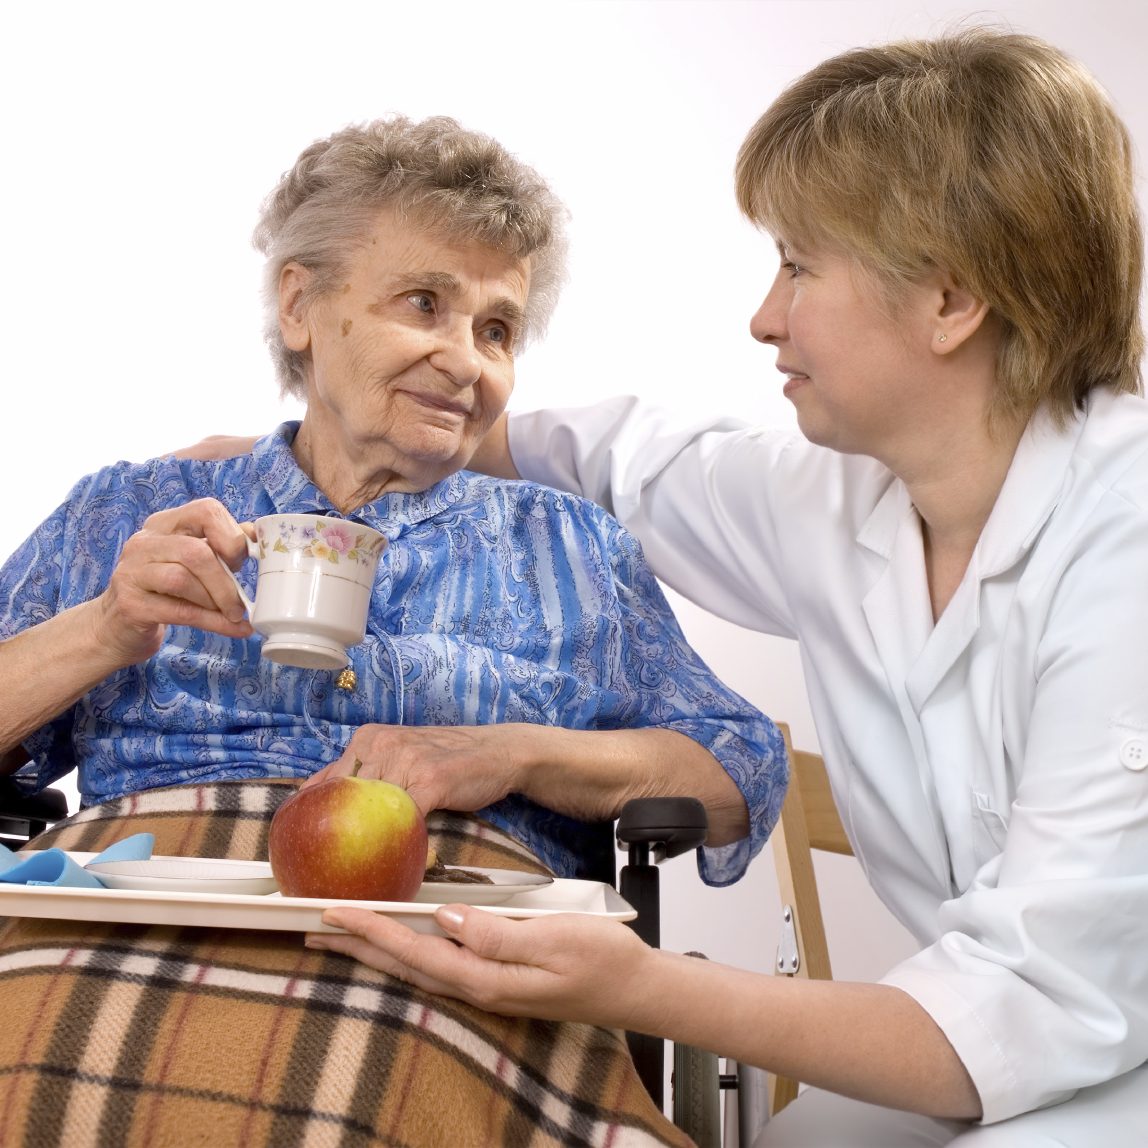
<point x="412" y="356"/>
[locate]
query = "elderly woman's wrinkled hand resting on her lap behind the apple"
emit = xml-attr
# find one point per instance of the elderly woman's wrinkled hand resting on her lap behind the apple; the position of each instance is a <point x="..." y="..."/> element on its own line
<point x="443" y="767"/>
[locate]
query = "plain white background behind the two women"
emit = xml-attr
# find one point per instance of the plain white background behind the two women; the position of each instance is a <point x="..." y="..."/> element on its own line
<point x="139" y="141"/>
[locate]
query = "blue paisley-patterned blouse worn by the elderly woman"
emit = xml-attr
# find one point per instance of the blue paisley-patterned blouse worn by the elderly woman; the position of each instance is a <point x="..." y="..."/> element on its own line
<point x="495" y="602"/>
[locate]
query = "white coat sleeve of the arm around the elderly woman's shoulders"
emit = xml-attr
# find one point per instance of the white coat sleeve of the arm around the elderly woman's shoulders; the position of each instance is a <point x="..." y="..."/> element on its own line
<point x="696" y="495"/>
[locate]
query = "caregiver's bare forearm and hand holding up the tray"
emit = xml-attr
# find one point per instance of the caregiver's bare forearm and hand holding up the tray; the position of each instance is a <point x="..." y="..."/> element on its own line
<point x="870" y="1042"/>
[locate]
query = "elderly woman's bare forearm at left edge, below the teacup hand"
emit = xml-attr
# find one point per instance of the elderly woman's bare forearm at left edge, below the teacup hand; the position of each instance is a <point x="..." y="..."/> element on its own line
<point x="46" y="669"/>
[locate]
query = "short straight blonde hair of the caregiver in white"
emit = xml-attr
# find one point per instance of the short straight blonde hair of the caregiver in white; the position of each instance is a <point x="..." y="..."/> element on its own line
<point x="991" y="156"/>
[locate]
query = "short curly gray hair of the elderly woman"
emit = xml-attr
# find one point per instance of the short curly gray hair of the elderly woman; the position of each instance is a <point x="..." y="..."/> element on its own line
<point x="449" y="180"/>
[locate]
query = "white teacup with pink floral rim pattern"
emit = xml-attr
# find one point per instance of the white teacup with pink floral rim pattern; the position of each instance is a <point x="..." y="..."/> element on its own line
<point x="314" y="587"/>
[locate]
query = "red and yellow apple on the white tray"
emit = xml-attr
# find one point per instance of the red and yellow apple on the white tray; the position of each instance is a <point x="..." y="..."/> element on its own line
<point x="351" y="839"/>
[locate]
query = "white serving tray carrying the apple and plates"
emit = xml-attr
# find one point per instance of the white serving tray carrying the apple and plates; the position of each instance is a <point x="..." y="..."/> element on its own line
<point x="289" y="914"/>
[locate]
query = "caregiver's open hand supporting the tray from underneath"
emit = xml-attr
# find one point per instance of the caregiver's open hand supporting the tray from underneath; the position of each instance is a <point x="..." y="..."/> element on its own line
<point x="549" y="968"/>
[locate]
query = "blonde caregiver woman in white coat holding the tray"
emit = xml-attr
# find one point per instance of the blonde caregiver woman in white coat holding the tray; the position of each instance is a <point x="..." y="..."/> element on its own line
<point x="960" y="545"/>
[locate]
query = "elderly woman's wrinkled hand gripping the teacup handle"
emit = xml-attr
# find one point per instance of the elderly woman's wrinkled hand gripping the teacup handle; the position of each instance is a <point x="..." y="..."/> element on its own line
<point x="169" y="576"/>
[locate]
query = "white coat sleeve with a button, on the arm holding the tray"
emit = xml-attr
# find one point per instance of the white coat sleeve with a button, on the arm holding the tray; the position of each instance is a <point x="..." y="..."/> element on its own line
<point x="1040" y="978"/>
